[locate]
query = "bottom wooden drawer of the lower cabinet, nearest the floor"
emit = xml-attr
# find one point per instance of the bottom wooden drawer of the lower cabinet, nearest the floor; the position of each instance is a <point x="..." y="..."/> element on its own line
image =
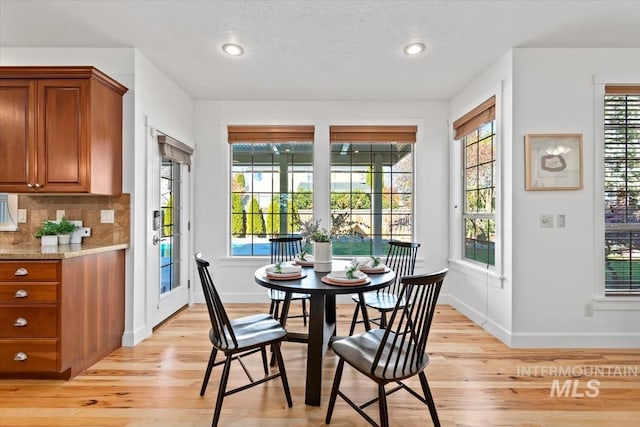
<point x="29" y="355"/>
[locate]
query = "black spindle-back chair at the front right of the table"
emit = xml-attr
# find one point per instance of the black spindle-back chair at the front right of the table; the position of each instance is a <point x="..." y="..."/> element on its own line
<point x="395" y="353"/>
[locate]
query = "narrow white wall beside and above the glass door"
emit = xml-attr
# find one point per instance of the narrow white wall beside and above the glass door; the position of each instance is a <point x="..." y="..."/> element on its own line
<point x="160" y="104"/>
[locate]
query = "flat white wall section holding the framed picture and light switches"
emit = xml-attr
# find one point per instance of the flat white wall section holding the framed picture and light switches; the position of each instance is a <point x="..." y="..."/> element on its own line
<point x="559" y="270"/>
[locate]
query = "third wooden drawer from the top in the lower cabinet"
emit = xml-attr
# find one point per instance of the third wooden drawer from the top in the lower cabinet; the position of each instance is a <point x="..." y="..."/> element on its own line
<point x="28" y="322"/>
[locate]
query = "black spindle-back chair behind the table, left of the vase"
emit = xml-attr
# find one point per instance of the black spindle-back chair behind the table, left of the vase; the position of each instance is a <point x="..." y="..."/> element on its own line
<point x="286" y="249"/>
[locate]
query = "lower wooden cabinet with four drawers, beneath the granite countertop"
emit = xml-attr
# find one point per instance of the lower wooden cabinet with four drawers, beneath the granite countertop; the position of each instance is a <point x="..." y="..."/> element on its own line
<point x="59" y="317"/>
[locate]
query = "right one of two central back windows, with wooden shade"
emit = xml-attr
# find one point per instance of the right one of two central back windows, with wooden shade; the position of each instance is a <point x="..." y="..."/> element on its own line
<point x="371" y="187"/>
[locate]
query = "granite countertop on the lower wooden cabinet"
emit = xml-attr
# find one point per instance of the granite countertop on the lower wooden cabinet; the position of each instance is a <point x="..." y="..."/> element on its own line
<point x="36" y="251"/>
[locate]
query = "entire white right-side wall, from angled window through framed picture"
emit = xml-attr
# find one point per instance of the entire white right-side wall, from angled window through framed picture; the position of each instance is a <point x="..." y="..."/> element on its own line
<point x="549" y="274"/>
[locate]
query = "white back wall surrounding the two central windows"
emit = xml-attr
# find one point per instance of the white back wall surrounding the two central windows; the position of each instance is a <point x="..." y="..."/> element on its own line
<point x="233" y="276"/>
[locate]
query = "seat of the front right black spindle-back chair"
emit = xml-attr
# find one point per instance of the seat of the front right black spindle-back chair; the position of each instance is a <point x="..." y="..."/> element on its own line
<point x="360" y="351"/>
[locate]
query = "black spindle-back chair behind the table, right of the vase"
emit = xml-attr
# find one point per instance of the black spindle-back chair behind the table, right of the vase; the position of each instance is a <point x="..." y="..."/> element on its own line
<point x="401" y="258"/>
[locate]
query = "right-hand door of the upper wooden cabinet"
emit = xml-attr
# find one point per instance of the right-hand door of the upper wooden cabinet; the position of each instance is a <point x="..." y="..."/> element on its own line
<point x="63" y="136"/>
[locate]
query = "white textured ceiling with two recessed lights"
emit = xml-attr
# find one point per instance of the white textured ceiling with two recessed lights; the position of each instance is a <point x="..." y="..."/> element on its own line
<point x="320" y="50"/>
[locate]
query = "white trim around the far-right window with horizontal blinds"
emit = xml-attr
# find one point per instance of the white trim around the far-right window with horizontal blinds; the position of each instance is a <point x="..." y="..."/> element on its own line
<point x="602" y="302"/>
